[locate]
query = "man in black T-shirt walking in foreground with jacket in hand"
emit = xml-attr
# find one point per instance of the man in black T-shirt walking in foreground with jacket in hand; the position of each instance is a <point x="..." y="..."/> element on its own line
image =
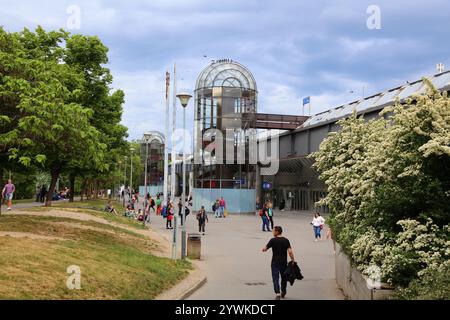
<point x="281" y="247"/>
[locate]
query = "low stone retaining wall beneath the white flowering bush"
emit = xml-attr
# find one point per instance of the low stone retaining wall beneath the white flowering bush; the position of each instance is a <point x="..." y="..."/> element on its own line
<point x="353" y="283"/>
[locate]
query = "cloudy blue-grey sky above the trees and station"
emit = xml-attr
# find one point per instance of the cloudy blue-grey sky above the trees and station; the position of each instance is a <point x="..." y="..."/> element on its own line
<point x="323" y="49"/>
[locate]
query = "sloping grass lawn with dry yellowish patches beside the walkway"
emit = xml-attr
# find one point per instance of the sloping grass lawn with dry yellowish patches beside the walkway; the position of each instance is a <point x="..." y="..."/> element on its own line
<point x="114" y="263"/>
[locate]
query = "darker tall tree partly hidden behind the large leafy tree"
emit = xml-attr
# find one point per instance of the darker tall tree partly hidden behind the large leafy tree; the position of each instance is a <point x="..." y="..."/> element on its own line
<point x="88" y="56"/>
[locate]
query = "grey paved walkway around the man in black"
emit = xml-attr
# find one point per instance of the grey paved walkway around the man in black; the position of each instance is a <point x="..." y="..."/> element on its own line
<point x="237" y="268"/>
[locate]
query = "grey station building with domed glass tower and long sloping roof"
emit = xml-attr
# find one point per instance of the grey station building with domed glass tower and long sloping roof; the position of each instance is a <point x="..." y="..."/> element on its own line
<point x="226" y="99"/>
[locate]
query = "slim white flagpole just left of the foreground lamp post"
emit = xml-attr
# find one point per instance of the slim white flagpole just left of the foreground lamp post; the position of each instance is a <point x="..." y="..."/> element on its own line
<point x="172" y="192"/>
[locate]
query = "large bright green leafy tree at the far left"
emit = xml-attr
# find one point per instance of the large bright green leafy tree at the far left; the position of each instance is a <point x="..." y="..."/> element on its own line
<point x="46" y="119"/>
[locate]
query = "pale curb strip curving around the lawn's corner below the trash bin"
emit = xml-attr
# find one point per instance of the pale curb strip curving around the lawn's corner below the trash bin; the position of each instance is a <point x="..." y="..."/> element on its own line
<point x="182" y="290"/>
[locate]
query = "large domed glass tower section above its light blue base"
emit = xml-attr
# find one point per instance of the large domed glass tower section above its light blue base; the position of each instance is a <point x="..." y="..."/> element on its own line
<point x="225" y="105"/>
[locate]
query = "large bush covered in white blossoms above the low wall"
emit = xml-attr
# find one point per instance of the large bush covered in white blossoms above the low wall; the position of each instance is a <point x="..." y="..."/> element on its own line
<point x="389" y="189"/>
